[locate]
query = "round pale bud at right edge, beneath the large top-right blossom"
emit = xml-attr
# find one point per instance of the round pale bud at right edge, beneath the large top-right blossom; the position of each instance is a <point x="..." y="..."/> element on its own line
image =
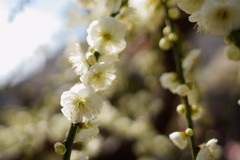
<point x="232" y="53"/>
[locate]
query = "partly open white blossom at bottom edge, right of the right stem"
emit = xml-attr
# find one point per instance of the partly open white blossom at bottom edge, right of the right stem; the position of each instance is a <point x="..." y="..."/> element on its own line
<point x="209" y="151"/>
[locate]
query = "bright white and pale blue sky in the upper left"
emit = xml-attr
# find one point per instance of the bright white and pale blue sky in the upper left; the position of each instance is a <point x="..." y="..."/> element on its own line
<point x="31" y="28"/>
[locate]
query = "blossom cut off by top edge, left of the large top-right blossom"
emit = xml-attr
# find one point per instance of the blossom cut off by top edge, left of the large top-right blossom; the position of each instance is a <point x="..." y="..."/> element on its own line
<point x="190" y="6"/>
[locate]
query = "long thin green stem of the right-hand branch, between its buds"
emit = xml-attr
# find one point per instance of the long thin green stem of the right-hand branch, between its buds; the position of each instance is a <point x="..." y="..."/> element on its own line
<point x="177" y="57"/>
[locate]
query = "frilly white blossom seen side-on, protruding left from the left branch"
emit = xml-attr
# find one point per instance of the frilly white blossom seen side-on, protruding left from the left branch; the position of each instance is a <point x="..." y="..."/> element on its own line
<point x="77" y="58"/>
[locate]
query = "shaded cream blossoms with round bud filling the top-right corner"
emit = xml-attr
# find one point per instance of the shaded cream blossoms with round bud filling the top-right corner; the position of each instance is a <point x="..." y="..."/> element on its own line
<point x="217" y="17"/>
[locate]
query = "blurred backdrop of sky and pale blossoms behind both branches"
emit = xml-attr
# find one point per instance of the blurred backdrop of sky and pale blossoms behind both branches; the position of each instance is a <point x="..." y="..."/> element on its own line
<point x="34" y="71"/>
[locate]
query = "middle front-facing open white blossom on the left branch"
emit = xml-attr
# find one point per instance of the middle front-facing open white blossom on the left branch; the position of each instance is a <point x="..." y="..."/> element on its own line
<point x="100" y="76"/>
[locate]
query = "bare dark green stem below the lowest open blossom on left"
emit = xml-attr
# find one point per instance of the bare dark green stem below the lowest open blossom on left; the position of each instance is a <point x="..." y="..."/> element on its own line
<point x="69" y="141"/>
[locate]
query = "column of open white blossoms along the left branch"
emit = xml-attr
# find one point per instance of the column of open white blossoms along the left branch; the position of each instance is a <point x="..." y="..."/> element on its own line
<point x="96" y="70"/>
